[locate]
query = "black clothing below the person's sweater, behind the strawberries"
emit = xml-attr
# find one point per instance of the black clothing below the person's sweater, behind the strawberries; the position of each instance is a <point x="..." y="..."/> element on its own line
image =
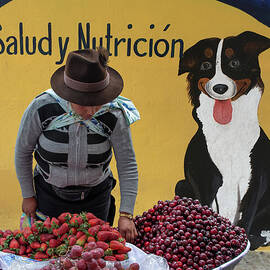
<point x="53" y="201"/>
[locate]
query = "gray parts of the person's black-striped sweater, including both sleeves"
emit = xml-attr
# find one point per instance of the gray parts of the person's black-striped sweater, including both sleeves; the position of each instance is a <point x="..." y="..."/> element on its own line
<point x="77" y="172"/>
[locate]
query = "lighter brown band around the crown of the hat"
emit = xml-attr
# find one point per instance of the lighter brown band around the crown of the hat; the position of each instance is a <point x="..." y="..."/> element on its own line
<point x="87" y="87"/>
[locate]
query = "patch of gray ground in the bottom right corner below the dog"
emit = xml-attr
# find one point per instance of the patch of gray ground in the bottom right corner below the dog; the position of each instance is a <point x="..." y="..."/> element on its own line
<point x="255" y="260"/>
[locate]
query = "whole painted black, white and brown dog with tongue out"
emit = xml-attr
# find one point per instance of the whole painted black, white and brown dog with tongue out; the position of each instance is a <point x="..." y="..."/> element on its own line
<point x="227" y="162"/>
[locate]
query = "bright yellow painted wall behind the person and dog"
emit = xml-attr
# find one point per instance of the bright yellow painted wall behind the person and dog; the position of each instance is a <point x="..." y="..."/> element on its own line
<point x="161" y="136"/>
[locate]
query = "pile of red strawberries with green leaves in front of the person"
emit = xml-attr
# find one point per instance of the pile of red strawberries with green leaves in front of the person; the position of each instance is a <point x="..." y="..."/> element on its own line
<point x="55" y="237"/>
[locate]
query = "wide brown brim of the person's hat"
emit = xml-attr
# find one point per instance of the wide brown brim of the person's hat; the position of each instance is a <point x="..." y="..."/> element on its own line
<point x="101" y="97"/>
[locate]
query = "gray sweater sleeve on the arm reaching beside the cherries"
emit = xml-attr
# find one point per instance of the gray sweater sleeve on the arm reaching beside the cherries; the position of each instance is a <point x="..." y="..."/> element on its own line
<point x="126" y="164"/>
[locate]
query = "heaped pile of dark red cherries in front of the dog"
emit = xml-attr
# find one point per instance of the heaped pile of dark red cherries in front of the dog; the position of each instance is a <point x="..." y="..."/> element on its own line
<point x="189" y="235"/>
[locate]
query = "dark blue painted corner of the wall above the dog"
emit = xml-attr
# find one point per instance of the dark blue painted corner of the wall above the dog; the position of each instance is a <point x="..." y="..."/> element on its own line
<point x="259" y="9"/>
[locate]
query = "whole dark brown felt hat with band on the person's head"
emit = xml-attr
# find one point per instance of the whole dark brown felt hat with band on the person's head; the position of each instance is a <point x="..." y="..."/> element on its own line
<point x="86" y="79"/>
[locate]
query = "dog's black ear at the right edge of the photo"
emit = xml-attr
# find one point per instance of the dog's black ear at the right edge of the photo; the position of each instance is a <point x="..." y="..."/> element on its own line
<point x="254" y="43"/>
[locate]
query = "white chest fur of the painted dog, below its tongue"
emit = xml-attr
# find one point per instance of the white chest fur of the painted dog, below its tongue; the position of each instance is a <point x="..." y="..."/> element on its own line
<point x="230" y="145"/>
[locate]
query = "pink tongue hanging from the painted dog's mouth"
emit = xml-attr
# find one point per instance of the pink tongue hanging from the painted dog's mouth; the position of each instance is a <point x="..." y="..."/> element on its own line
<point x="223" y="111"/>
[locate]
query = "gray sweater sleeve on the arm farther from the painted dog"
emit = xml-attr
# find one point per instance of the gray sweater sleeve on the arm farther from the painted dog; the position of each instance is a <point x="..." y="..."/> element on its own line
<point x="28" y="134"/>
